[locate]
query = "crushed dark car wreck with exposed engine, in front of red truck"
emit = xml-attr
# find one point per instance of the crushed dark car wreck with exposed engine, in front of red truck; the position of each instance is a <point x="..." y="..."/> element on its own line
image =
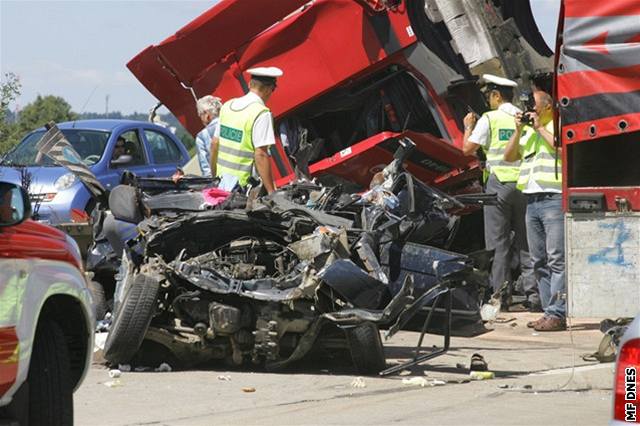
<point x="308" y="265"/>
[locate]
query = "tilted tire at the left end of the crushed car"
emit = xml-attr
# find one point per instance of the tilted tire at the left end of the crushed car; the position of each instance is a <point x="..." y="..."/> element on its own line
<point x="132" y="319"/>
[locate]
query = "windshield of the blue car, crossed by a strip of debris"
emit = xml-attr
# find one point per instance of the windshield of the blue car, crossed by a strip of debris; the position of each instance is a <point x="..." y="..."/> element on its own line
<point x="89" y="144"/>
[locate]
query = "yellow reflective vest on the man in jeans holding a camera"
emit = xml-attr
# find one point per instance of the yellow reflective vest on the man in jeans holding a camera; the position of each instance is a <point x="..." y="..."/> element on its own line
<point x="539" y="162"/>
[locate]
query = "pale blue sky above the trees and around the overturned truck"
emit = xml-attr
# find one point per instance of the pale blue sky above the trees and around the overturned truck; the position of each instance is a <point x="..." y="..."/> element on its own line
<point x="78" y="49"/>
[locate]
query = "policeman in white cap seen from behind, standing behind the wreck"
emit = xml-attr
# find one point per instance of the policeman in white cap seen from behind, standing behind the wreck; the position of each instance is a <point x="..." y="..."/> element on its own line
<point x="240" y="146"/>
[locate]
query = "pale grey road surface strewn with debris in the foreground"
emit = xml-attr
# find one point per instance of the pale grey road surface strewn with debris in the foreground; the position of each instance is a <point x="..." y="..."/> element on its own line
<point x="535" y="384"/>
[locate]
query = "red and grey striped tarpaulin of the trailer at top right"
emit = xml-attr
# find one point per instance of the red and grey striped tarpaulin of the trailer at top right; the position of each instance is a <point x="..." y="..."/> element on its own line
<point x="597" y="84"/>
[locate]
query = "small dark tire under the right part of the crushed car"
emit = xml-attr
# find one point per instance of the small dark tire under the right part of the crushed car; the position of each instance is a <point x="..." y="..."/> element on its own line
<point x="366" y="348"/>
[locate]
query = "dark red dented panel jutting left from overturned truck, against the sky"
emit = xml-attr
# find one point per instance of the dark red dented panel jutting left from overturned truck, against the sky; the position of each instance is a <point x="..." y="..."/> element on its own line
<point x="199" y="54"/>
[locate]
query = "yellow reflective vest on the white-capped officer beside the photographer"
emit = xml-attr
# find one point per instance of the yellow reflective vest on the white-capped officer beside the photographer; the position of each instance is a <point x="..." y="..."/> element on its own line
<point x="502" y="126"/>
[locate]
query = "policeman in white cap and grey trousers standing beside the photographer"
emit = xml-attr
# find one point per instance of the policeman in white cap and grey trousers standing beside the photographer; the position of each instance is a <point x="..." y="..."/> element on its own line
<point x="506" y="219"/>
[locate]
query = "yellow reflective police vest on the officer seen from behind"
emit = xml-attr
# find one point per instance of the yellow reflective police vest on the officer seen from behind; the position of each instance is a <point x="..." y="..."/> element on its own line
<point x="235" y="146"/>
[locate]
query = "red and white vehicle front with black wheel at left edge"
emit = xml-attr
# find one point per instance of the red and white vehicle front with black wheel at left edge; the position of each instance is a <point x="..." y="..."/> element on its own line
<point x="46" y="317"/>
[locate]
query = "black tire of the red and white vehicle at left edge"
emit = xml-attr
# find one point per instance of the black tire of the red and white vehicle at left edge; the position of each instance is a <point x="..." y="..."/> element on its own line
<point x="49" y="378"/>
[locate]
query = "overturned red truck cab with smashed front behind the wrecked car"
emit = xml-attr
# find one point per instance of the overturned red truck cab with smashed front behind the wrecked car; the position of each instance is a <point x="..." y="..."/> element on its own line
<point x="358" y="75"/>
